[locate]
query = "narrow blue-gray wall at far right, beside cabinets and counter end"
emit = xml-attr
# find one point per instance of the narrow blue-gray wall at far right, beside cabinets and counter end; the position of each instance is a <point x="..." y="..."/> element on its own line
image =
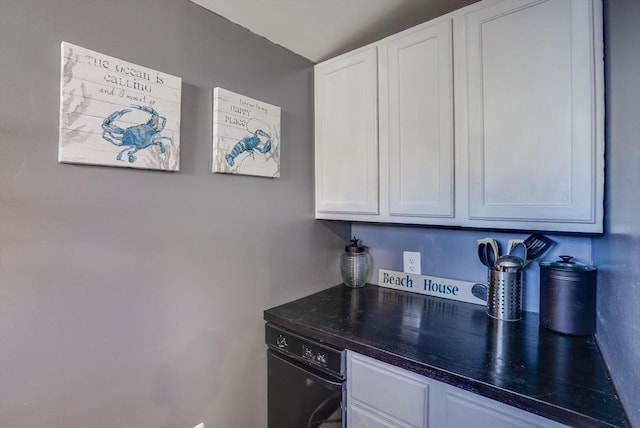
<point x="617" y="254"/>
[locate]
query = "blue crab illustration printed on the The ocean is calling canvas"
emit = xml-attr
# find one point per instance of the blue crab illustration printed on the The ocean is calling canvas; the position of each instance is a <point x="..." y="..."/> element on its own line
<point x="135" y="137"/>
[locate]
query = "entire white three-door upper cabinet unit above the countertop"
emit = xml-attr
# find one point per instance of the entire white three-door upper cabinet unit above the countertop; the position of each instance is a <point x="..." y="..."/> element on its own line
<point x="490" y="116"/>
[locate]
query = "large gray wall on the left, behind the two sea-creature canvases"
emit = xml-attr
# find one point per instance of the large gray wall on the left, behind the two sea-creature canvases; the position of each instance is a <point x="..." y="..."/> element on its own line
<point x="133" y="298"/>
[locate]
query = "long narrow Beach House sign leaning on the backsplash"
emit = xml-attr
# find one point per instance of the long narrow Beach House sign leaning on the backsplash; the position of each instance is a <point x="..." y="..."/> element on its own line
<point x="462" y="291"/>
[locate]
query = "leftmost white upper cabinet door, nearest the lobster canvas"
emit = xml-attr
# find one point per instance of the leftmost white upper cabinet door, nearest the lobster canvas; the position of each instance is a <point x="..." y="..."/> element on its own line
<point x="346" y="127"/>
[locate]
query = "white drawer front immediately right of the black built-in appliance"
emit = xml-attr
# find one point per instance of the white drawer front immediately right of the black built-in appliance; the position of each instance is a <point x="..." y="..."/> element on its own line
<point x="389" y="390"/>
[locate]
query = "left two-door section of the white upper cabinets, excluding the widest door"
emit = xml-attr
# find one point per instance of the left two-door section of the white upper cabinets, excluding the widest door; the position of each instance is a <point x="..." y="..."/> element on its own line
<point x="408" y="80"/>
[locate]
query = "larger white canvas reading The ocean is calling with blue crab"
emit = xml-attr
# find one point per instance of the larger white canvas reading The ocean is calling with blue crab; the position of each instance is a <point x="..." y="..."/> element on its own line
<point x="116" y="113"/>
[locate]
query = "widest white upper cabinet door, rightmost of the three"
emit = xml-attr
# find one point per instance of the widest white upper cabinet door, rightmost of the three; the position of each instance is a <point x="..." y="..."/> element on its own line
<point x="529" y="103"/>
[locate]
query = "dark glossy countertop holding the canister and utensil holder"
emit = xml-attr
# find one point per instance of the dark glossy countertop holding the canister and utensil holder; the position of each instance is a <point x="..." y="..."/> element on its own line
<point x="560" y="377"/>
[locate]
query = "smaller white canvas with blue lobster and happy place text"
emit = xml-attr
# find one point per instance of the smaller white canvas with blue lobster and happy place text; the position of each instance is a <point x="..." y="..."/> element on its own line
<point x="246" y="135"/>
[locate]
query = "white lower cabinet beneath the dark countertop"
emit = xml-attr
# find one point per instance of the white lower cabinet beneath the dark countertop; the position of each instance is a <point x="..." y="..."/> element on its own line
<point x="380" y="395"/>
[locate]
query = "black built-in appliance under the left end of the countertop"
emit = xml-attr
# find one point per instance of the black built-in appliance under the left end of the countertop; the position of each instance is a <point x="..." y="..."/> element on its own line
<point x="306" y="384"/>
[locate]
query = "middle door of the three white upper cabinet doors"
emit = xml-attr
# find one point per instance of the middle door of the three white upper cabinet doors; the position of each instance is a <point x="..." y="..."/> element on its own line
<point x="416" y="121"/>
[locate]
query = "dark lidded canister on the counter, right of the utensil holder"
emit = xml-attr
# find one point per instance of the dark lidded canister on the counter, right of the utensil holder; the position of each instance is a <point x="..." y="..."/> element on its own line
<point x="568" y="296"/>
